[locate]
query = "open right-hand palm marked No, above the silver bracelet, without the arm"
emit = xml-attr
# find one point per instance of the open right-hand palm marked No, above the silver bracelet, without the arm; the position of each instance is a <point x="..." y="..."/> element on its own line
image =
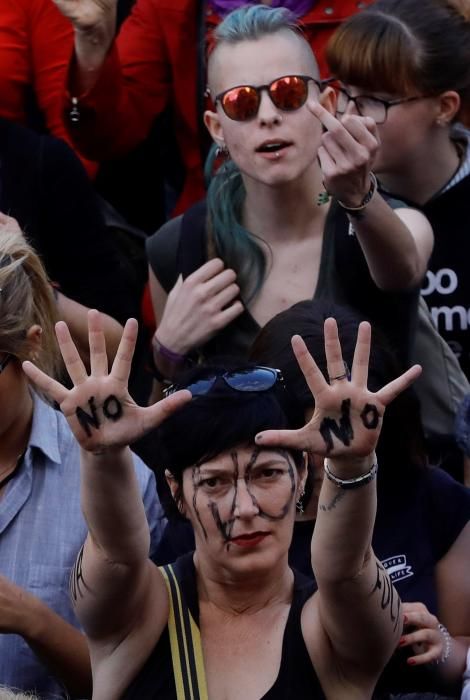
<point x="347" y="418"/>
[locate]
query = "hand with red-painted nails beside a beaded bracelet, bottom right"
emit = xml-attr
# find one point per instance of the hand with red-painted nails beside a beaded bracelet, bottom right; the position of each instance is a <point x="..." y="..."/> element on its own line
<point x="428" y="640"/>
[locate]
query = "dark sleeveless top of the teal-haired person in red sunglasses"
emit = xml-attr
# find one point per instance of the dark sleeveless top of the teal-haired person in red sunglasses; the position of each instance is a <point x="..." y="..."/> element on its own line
<point x="180" y="246"/>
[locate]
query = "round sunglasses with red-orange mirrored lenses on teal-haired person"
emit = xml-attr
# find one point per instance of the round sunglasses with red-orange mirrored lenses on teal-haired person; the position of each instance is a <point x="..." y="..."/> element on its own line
<point x="288" y="93"/>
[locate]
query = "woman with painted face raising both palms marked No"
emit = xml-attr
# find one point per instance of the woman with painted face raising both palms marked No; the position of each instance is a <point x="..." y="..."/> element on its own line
<point x="252" y="627"/>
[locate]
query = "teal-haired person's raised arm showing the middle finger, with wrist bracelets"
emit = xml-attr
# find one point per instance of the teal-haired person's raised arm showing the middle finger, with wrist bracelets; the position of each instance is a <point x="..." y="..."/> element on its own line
<point x="397" y="243"/>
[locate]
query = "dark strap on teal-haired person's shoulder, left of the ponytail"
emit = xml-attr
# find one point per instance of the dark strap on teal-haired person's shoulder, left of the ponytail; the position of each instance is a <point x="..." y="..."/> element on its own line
<point x="192" y="252"/>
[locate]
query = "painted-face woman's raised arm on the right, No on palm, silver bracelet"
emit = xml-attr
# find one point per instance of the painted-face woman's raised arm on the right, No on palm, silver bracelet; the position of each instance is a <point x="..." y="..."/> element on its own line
<point x="354" y="623"/>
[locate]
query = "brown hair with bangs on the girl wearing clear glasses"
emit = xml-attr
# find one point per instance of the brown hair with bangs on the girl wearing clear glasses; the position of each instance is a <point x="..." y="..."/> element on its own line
<point x="402" y="47"/>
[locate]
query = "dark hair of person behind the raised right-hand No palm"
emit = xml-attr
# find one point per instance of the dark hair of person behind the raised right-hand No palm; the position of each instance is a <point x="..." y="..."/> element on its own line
<point x="401" y="444"/>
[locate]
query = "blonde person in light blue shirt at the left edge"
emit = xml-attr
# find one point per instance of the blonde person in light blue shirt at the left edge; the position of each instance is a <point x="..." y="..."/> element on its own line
<point x="41" y="524"/>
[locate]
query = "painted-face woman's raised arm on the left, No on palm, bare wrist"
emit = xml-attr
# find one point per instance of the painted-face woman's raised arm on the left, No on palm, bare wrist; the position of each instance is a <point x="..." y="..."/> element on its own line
<point x="113" y="585"/>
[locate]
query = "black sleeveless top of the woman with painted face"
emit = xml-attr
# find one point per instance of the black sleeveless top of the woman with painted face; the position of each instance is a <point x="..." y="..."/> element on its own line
<point x="297" y="678"/>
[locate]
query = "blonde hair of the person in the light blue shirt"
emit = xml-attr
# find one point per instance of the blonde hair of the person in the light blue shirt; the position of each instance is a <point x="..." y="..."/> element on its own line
<point x="26" y="298"/>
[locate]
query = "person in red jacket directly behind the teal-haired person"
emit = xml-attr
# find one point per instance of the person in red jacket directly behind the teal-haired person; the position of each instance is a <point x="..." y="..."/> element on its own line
<point x="116" y="88"/>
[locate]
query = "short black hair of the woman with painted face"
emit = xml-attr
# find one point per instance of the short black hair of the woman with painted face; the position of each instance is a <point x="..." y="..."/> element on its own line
<point x="217" y="421"/>
